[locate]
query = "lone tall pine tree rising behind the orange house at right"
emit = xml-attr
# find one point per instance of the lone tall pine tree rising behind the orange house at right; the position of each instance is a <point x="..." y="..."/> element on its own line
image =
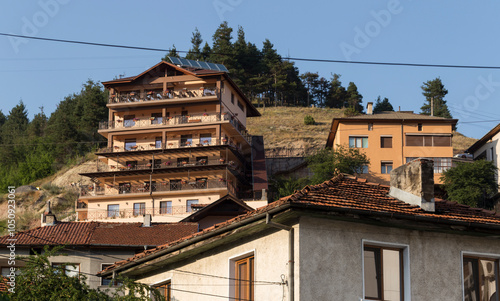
<point x="434" y="90"/>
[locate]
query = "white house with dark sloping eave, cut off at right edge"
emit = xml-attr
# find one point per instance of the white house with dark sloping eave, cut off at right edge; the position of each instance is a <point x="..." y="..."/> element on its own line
<point x="488" y="148"/>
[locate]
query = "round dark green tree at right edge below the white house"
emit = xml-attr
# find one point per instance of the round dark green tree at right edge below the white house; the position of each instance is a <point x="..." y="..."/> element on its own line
<point x="472" y="184"/>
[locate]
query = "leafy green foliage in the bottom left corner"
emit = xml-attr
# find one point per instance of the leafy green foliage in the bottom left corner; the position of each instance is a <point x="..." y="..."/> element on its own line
<point x="41" y="281"/>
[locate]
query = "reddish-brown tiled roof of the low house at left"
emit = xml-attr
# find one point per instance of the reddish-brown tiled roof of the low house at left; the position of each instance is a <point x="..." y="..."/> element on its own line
<point x="101" y="233"/>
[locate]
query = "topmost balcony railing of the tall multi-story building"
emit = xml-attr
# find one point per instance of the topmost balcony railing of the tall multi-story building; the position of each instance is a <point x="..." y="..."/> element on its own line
<point x="157" y="95"/>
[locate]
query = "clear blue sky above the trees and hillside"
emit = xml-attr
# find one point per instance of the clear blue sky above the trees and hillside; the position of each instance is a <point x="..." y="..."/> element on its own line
<point x="429" y="32"/>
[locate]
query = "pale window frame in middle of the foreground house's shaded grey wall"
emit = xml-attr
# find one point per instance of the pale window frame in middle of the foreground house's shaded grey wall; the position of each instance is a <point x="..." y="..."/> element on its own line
<point x="405" y="264"/>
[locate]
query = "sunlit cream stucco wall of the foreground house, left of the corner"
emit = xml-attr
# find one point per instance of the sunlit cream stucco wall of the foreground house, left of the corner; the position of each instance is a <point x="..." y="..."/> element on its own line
<point x="271" y="257"/>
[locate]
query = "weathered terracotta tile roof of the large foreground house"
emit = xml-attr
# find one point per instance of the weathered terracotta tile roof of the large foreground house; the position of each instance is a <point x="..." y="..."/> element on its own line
<point x="345" y="193"/>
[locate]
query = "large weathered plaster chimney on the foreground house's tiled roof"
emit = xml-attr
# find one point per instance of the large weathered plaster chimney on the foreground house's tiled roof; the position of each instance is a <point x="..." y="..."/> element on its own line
<point x="413" y="183"/>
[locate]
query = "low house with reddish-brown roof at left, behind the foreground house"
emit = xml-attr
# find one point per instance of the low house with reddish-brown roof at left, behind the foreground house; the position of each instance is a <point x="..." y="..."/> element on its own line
<point x="90" y="247"/>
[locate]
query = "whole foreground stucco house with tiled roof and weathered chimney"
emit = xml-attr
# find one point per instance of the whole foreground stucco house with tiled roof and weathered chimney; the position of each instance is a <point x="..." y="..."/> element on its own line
<point x="345" y="239"/>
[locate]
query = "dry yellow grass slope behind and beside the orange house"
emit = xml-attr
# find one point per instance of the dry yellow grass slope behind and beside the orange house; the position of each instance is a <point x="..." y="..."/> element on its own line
<point x="284" y="127"/>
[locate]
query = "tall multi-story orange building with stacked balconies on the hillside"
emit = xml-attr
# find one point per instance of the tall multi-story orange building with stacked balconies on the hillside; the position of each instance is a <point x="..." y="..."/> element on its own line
<point x="176" y="137"/>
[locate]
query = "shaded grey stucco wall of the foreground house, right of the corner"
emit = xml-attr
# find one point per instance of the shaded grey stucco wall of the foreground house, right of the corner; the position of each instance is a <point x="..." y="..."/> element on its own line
<point x="331" y="259"/>
